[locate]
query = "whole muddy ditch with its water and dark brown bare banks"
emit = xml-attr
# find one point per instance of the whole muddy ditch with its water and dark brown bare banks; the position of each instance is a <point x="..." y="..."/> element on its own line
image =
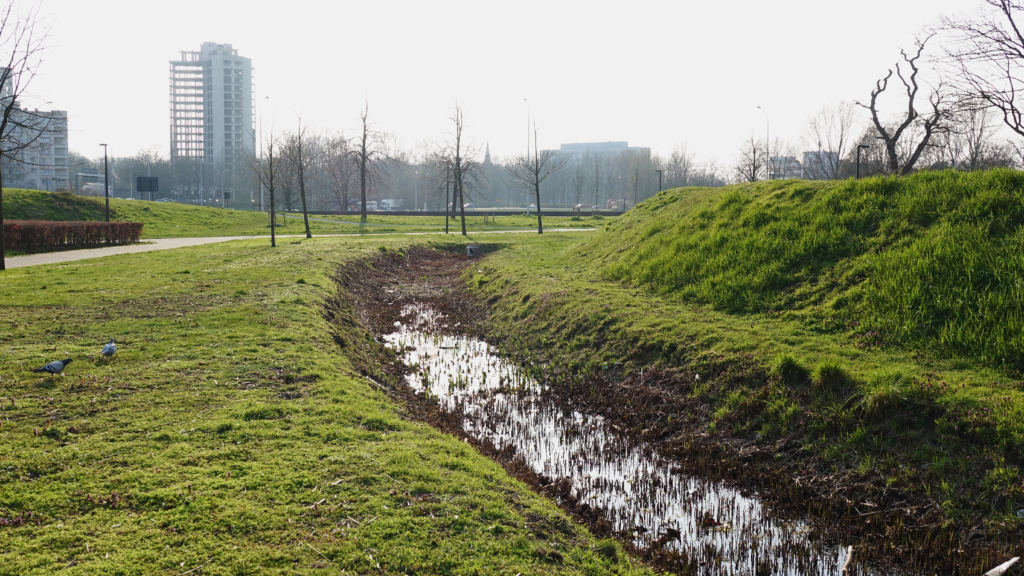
<point x="630" y="455"/>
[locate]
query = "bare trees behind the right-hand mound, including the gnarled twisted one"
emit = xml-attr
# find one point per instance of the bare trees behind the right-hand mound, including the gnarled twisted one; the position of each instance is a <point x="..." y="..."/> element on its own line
<point x="953" y="121"/>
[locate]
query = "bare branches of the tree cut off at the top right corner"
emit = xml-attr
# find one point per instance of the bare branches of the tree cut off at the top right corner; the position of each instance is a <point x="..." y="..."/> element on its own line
<point x="989" y="53"/>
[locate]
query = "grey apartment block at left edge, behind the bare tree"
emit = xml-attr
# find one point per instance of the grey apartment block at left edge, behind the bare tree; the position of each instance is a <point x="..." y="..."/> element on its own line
<point x="37" y="147"/>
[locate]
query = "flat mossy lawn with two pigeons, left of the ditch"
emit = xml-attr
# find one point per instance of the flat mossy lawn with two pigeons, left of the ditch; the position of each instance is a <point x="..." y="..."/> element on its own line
<point x="231" y="433"/>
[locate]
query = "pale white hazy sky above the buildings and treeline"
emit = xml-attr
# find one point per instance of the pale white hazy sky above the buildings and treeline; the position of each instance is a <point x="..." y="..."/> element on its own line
<point x="652" y="73"/>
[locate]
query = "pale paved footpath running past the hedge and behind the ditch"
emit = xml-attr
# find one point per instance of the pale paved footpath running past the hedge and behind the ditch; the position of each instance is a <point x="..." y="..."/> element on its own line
<point x="168" y="243"/>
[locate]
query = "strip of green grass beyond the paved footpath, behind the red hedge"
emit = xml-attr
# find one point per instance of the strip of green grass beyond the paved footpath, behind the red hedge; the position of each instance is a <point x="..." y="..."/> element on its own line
<point x="170" y="220"/>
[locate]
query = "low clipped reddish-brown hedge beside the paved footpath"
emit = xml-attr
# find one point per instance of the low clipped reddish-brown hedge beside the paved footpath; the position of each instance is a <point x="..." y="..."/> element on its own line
<point x="35" y="236"/>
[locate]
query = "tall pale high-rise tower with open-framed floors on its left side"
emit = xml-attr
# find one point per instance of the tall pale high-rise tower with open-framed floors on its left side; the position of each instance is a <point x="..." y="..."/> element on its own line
<point x="212" y="106"/>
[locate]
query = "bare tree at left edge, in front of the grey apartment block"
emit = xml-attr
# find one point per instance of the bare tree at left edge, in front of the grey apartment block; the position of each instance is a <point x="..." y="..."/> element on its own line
<point x="22" y="38"/>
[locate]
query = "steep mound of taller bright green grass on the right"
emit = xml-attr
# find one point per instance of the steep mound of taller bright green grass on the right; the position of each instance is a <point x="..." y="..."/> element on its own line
<point x="934" y="261"/>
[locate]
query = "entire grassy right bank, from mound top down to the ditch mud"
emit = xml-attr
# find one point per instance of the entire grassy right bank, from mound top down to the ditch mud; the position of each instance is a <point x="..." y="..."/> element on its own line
<point x="883" y="319"/>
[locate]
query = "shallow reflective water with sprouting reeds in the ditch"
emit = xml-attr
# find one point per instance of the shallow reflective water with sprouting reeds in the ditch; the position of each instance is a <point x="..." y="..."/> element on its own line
<point x="701" y="524"/>
